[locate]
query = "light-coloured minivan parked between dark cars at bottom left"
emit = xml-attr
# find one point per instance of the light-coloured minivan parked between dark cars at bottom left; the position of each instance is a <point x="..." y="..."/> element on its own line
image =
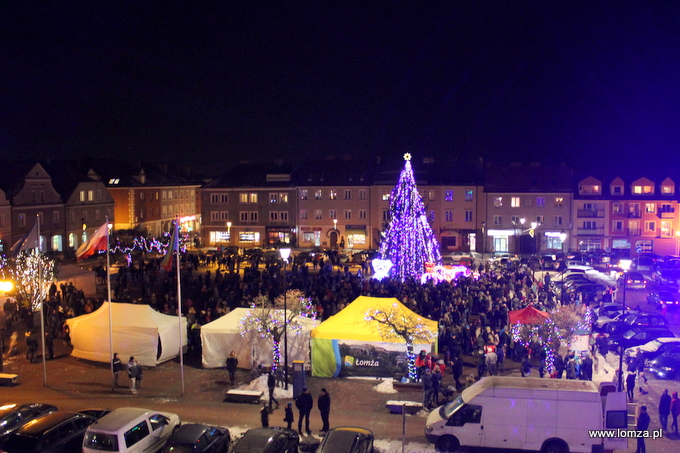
<point x="130" y="430"/>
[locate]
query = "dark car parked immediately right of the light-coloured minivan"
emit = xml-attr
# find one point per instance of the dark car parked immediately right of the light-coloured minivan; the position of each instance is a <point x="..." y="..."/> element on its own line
<point x="195" y="438"/>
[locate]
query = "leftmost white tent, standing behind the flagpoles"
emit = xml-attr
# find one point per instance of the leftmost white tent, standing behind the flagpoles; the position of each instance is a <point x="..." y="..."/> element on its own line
<point x="138" y="330"/>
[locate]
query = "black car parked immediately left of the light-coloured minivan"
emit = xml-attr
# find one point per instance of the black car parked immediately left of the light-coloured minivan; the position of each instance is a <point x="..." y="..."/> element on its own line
<point x="56" y="432"/>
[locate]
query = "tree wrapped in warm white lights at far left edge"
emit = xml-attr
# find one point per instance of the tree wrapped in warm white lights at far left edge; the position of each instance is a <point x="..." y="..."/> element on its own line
<point x="32" y="274"/>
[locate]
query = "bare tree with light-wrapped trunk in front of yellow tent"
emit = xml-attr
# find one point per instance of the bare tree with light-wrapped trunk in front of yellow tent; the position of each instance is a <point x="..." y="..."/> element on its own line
<point x="395" y="324"/>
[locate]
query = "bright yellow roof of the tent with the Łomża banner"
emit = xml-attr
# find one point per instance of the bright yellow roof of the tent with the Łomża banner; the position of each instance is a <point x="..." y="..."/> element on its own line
<point x="351" y="324"/>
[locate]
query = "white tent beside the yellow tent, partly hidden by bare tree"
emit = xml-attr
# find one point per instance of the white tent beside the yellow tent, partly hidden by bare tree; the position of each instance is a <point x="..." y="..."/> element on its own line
<point x="223" y="335"/>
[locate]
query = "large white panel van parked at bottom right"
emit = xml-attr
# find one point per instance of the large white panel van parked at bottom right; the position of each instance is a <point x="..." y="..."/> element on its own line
<point x="548" y="415"/>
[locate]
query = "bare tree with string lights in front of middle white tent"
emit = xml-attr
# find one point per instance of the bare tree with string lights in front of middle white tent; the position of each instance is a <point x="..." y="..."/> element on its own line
<point x="266" y="319"/>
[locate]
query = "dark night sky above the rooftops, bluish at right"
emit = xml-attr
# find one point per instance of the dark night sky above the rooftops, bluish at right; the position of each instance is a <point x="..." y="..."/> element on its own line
<point x="577" y="82"/>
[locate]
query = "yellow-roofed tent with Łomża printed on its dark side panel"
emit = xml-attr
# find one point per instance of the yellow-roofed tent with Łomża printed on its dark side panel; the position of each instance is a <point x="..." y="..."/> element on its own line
<point x="347" y="344"/>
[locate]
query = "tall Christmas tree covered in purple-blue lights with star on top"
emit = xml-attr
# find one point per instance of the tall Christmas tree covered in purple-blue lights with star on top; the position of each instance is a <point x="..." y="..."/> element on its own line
<point x="409" y="242"/>
